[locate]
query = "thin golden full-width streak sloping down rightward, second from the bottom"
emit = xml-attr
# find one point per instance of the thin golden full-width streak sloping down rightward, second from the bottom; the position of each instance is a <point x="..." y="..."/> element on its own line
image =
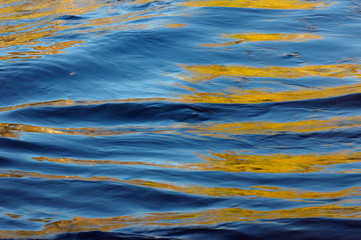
<point x="256" y="191"/>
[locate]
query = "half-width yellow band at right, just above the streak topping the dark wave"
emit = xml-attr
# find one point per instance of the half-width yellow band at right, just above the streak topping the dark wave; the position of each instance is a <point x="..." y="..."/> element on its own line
<point x="207" y="72"/>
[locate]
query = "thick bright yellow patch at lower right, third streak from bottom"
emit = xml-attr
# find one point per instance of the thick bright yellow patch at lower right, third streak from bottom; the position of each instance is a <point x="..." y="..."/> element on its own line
<point x="274" y="163"/>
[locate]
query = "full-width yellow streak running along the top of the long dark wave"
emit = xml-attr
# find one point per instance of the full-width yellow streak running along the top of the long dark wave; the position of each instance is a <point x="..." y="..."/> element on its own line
<point x="235" y="96"/>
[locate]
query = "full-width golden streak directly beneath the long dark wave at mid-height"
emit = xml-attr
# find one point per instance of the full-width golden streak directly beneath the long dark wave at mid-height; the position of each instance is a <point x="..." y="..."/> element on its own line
<point x="222" y="130"/>
